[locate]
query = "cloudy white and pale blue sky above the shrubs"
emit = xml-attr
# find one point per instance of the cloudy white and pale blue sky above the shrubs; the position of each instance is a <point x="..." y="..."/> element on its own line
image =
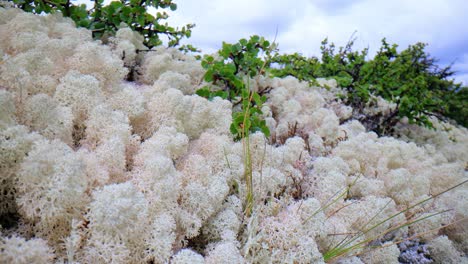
<point x="302" y="24"/>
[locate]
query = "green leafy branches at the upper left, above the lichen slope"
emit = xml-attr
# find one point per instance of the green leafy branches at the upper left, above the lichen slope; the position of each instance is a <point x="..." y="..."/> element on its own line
<point x="105" y="20"/>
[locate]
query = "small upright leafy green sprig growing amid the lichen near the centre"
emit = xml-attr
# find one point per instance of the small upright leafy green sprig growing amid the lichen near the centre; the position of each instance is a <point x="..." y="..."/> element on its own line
<point x="237" y="63"/>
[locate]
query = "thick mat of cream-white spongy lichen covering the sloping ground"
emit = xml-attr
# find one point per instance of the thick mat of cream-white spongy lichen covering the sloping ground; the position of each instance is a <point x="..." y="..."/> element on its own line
<point x="95" y="169"/>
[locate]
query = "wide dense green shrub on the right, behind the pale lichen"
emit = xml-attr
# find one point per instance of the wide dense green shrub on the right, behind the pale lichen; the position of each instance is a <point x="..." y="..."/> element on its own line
<point x="410" y="79"/>
